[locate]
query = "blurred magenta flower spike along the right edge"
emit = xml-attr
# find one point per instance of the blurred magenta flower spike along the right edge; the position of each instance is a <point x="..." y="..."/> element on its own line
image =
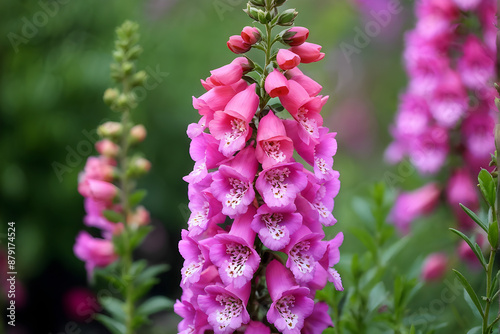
<point x="446" y="117"/>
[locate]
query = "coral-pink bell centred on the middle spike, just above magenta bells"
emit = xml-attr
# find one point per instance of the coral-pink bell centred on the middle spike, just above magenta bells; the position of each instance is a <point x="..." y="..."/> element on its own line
<point x="273" y="144"/>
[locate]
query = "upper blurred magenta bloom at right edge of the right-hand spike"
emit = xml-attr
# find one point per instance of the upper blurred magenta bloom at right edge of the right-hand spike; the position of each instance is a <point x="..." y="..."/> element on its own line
<point x="477" y="66"/>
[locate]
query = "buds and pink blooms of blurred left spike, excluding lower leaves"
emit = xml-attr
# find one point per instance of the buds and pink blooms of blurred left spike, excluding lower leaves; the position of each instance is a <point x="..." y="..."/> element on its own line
<point x="108" y="204"/>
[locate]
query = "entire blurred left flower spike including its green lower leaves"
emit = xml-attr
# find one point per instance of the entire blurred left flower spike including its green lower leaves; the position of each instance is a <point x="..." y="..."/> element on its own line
<point x="111" y="200"/>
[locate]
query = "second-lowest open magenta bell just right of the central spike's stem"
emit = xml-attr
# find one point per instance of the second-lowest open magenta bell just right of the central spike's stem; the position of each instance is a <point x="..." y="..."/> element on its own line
<point x="304" y="251"/>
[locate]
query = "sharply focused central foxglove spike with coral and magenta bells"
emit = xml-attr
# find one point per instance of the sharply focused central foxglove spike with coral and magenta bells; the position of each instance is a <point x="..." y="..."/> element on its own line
<point x="254" y="254"/>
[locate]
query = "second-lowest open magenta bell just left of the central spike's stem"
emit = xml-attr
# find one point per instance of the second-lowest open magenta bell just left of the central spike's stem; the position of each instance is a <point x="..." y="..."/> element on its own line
<point x="234" y="254"/>
